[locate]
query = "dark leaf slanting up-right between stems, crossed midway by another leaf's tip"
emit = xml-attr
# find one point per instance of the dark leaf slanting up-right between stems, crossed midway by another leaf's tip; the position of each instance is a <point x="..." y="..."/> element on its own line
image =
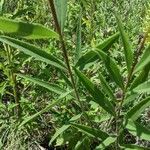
<point x="90" y="56"/>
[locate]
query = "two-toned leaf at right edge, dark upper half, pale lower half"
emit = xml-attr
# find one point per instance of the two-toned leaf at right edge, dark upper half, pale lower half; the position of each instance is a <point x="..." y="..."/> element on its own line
<point x="135" y="112"/>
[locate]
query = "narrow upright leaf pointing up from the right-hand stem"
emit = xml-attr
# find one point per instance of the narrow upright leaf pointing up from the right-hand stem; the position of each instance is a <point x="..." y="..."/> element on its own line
<point x="127" y="45"/>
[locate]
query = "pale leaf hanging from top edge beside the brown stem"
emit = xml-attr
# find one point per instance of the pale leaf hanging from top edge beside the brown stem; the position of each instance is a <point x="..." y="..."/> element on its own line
<point x="61" y="10"/>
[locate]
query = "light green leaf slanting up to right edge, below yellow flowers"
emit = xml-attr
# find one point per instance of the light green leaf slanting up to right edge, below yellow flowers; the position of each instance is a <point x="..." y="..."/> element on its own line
<point x="145" y="59"/>
